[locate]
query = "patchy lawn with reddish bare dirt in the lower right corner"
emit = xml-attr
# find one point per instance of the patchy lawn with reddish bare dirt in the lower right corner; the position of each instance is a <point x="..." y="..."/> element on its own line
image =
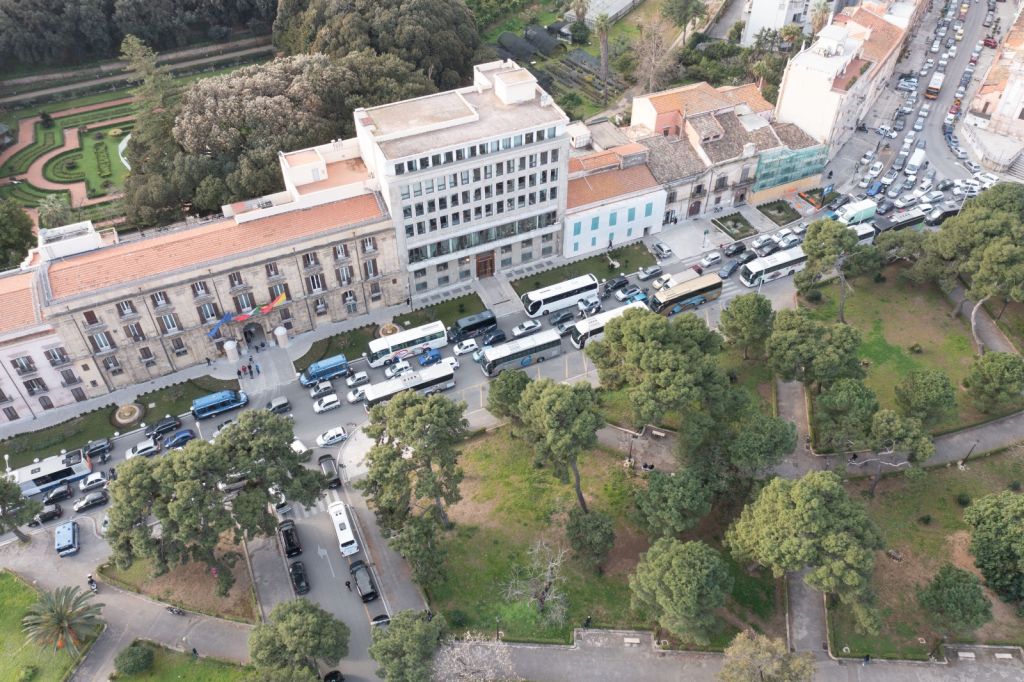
<point x="898" y="509"/>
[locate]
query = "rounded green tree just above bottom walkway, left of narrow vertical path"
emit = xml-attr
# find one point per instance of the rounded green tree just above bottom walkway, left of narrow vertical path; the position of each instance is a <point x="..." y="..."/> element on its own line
<point x="681" y="585"/>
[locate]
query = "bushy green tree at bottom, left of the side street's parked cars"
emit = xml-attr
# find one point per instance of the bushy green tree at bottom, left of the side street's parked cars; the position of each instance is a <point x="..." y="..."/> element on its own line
<point x="296" y="633"/>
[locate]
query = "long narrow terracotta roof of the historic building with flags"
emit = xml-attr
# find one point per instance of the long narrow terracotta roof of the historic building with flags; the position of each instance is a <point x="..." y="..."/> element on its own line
<point x="192" y="248"/>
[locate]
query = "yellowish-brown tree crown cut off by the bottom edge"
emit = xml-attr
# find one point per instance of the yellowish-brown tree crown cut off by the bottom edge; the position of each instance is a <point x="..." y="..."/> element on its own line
<point x="753" y="658"/>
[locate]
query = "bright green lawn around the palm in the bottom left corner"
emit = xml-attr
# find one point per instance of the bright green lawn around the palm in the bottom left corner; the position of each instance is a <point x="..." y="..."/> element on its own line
<point x="16" y="598"/>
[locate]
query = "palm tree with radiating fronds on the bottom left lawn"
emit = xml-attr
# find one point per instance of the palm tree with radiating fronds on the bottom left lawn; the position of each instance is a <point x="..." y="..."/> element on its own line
<point x="63" y="619"/>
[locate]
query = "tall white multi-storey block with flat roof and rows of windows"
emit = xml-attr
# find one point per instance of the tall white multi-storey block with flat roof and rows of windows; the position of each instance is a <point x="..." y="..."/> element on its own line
<point x="475" y="179"/>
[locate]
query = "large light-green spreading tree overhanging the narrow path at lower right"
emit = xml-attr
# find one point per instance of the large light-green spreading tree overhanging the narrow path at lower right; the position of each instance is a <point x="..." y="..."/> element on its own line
<point x="813" y="523"/>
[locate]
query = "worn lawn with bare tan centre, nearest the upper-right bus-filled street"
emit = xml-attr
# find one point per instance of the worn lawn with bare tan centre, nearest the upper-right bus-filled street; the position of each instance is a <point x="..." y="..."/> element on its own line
<point x="894" y="316"/>
